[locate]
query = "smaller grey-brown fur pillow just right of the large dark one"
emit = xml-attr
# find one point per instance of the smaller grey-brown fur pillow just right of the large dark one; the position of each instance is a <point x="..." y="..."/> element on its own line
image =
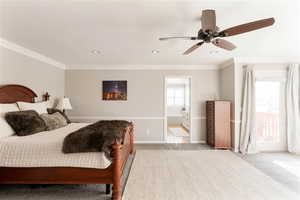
<point x="54" y="121"/>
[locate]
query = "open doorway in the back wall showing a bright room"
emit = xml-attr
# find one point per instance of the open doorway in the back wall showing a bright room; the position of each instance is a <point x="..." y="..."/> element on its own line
<point x="177" y="110"/>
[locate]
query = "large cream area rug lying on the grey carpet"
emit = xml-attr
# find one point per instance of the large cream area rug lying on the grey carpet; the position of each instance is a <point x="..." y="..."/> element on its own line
<point x="194" y="175"/>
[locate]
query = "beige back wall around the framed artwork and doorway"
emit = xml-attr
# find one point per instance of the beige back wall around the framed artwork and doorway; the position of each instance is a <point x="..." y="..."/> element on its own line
<point x="145" y="104"/>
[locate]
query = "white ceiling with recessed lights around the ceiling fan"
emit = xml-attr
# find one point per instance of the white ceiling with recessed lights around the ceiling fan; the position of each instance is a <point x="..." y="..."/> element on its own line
<point x="126" y="33"/>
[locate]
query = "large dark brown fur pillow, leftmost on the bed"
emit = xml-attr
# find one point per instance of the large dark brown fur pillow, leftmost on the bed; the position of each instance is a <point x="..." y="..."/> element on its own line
<point x="25" y="122"/>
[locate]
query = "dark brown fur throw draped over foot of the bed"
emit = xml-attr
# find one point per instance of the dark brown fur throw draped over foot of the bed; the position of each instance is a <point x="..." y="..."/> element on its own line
<point x="97" y="137"/>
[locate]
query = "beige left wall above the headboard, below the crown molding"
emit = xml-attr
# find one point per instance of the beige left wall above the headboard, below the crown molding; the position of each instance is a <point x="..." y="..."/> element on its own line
<point x="16" y="68"/>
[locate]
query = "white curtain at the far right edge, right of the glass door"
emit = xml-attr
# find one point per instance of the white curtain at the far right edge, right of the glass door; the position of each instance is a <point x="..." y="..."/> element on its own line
<point x="292" y="109"/>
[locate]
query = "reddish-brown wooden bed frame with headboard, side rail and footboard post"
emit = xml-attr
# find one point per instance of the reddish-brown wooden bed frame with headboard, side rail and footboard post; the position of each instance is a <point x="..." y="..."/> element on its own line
<point x="66" y="175"/>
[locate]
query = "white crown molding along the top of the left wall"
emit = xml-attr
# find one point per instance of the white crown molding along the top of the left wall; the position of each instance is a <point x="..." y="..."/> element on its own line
<point x="33" y="54"/>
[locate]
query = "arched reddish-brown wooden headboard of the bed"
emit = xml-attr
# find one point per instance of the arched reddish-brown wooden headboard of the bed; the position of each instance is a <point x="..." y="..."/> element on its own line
<point x="14" y="93"/>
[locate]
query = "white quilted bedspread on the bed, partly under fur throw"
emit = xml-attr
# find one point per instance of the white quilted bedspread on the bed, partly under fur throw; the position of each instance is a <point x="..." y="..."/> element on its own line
<point x="44" y="150"/>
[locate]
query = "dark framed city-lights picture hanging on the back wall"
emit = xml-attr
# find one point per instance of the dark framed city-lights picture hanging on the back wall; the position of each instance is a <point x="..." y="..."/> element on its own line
<point x="114" y="90"/>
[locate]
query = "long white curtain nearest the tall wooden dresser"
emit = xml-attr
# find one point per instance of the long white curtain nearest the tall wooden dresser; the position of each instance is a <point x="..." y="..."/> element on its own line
<point x="247" y="133"/>
